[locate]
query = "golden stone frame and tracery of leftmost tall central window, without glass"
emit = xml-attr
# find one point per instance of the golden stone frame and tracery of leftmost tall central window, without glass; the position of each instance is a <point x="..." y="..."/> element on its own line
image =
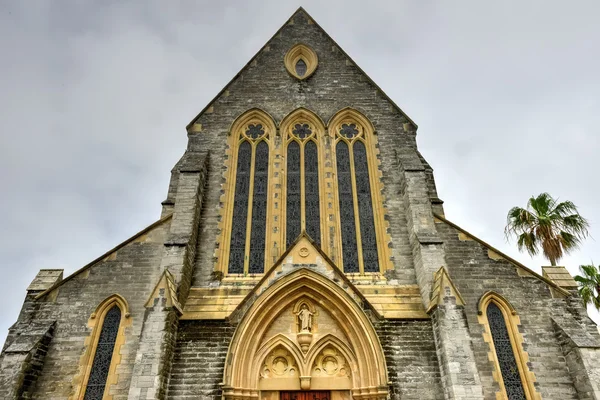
<point x="253" y="127"/>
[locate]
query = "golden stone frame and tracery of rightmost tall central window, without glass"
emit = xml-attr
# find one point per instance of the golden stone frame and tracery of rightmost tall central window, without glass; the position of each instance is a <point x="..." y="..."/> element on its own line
<point x="350" y="126"/>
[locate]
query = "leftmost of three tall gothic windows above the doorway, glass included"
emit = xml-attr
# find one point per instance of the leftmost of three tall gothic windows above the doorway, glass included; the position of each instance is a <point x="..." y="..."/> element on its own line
<point x="245" y="226"/>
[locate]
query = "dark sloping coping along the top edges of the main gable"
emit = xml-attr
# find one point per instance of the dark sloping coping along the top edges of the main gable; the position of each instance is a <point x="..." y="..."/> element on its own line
<point x="298" y="12"/>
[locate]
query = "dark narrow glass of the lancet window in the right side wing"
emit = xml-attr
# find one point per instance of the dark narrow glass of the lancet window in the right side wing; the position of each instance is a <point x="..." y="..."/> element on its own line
<point x="504" y="353"/>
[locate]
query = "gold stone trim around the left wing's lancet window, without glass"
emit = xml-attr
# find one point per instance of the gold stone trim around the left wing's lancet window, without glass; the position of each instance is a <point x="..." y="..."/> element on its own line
<point x="95" y="322"/>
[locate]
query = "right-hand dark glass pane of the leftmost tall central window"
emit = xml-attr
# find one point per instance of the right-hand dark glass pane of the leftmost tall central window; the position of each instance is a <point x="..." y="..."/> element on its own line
<point x="259" y="209"/>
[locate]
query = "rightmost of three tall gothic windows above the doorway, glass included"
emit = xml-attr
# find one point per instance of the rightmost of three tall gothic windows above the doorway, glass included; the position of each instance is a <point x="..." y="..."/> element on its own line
<point x="359" y="203"/>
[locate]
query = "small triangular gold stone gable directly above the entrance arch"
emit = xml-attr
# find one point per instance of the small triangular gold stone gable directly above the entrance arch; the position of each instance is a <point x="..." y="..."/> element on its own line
<point x="304" y="253"/>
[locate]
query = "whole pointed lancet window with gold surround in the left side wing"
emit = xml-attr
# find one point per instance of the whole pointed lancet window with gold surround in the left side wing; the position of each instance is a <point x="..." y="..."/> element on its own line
<point x="102" y="356"/>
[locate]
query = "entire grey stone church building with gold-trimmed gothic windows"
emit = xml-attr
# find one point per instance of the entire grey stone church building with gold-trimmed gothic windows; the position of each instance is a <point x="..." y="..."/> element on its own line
<point x="302" y="253"/>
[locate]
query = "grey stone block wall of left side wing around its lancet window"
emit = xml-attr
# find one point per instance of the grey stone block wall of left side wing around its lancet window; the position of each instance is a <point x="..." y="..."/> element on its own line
<point x="132" y="272"/>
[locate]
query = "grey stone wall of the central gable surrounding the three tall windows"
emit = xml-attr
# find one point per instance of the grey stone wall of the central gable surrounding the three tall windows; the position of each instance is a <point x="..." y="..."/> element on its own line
<point x="336" y="84"/>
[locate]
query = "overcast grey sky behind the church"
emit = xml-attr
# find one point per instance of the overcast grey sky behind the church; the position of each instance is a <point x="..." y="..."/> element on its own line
<point x="95" y="97"/>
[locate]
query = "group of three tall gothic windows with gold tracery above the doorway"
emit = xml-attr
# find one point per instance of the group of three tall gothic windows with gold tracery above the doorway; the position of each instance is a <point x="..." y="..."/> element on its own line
<point x="303" y="176"/>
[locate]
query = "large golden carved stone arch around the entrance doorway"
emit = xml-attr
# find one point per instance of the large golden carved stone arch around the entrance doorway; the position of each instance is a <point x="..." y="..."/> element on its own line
<point x="360" y="365"/>
